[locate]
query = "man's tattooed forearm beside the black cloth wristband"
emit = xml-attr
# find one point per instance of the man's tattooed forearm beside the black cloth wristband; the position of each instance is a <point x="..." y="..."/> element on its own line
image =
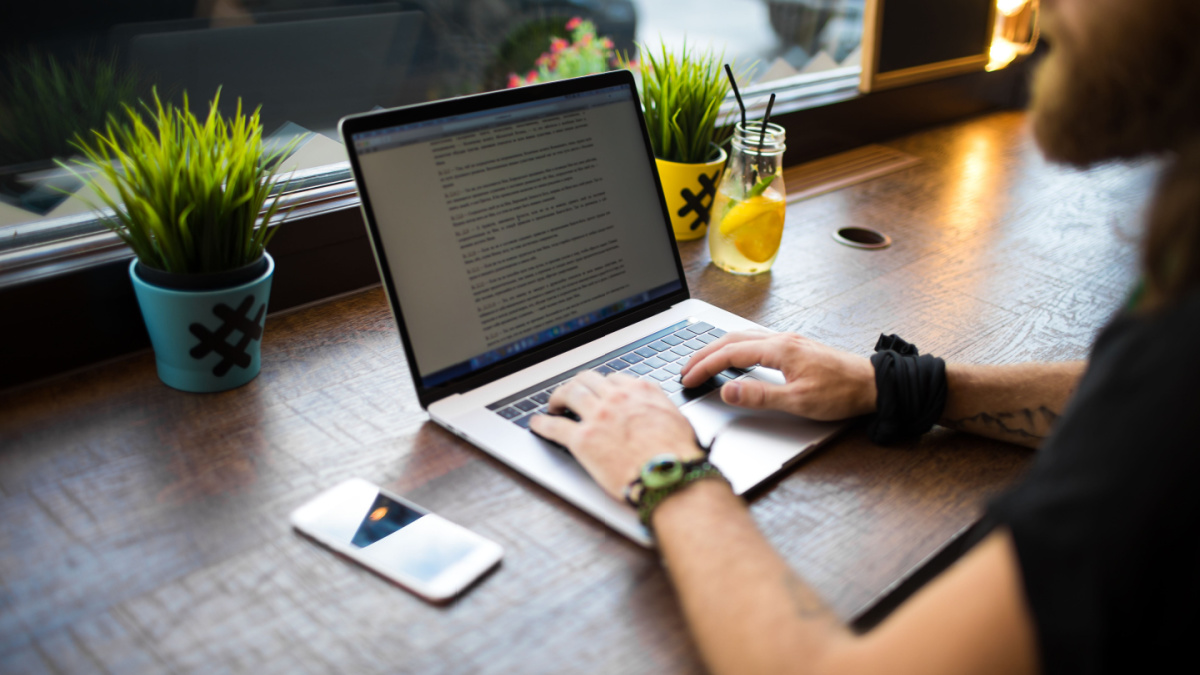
<point x="1018" y="404"/>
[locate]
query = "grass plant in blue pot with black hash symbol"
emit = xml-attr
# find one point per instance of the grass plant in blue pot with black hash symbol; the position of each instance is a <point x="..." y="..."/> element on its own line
<point x="189" y="198"/>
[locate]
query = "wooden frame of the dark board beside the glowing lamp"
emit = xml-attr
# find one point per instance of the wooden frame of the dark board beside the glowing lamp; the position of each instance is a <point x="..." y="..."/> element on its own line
<point x="875" y="21"/>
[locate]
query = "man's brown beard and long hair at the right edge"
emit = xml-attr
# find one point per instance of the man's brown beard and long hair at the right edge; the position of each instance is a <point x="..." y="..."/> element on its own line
<point x="1125" y="85"/>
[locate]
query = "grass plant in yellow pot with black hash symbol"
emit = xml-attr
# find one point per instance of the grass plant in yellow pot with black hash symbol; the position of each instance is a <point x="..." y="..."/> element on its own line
<point x="682" y="97"/>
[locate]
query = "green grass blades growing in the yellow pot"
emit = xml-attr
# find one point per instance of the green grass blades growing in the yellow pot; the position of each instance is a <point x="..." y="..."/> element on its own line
<point x="682" y="98"/>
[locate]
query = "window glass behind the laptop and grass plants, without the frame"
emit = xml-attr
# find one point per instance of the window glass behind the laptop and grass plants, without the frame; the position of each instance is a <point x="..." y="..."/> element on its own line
<point x="69" y="64"/>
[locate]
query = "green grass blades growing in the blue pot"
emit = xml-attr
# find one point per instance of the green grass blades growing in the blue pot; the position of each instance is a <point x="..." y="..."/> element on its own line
<point x="191" y="196"/>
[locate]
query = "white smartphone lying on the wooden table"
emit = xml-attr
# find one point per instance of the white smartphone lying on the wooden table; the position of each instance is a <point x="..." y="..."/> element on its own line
<point x="398" y="540"/>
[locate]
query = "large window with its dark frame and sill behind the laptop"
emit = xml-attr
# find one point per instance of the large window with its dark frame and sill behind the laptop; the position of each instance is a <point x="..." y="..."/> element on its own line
<point x="67" y="64"/>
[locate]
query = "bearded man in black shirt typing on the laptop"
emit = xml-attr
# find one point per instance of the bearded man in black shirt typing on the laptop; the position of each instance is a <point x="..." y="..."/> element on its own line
<point x="1088" y="558"/>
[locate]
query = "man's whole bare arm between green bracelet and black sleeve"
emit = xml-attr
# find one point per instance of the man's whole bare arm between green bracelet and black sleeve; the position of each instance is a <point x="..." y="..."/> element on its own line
<point x="749" y="613"/>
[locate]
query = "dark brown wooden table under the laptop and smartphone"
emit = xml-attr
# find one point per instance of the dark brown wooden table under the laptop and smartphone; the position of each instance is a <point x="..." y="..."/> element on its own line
<point x="146" y="530"/>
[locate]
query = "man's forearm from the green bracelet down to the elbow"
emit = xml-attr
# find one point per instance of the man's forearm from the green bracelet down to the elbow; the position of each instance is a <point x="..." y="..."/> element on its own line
<point x="747" y="610"/>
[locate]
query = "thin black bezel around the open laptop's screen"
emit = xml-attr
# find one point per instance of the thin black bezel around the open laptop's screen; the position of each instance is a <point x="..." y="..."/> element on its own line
<point x="422" y="112"/>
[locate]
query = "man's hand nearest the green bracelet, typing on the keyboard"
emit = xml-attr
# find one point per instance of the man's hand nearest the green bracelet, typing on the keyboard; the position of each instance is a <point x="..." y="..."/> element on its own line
<point x="623" y="423"/>
